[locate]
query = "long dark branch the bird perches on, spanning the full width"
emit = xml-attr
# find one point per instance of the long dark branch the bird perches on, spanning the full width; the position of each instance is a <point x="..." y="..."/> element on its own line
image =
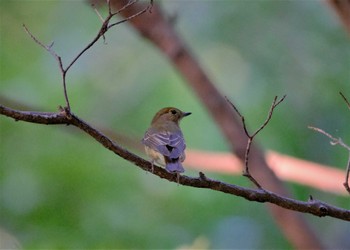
<point x="314" y="207"/>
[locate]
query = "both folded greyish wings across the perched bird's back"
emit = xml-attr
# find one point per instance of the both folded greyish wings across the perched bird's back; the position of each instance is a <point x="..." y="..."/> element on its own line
<point x="170" y="144"/>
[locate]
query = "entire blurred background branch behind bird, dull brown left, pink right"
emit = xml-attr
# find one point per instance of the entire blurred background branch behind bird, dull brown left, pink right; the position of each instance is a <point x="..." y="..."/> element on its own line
<point x="288" y="168"/>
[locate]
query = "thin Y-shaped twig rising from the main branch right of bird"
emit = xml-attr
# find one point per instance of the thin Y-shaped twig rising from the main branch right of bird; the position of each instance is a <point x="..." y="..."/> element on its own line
<point x="274" y="104"/>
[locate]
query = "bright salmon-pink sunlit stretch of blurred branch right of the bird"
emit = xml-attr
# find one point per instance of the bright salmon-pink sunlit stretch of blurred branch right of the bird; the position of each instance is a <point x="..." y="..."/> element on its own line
<point x="322" y="177"/>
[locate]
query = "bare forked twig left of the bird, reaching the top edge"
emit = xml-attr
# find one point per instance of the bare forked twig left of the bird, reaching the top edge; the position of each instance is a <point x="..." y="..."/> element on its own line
<point x="104" y="28"/>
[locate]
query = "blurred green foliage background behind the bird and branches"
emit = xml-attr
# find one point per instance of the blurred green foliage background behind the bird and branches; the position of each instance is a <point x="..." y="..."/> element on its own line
<point x="61" y="189"/>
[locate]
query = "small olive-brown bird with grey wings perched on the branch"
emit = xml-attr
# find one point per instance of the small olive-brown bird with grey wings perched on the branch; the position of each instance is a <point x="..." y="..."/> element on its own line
<point x="164" y="142"/>
